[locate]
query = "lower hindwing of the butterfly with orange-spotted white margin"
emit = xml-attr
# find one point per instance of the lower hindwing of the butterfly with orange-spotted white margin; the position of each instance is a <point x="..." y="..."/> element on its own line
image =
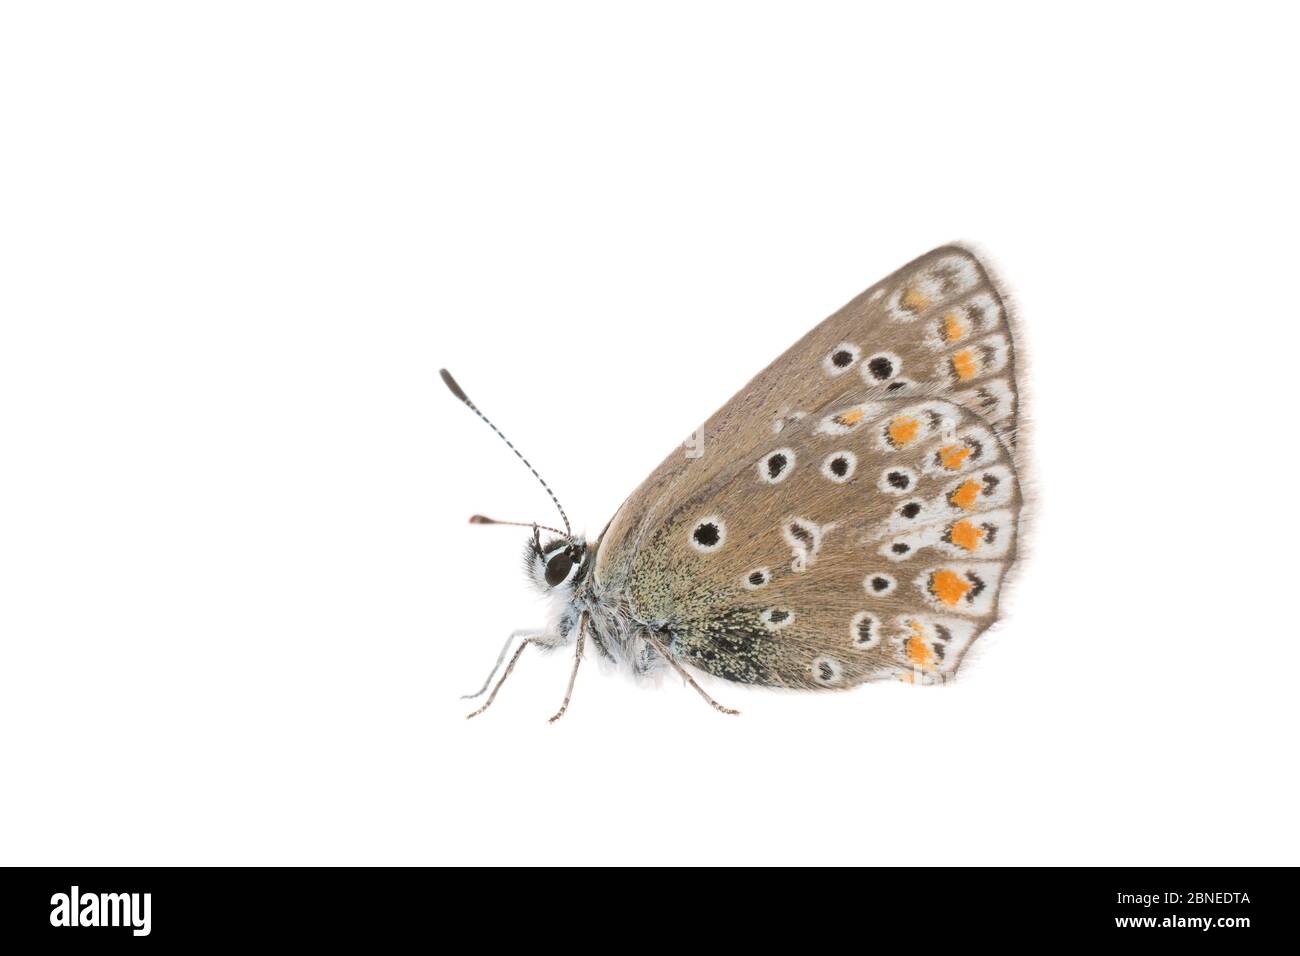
<point x="821" y="578"/>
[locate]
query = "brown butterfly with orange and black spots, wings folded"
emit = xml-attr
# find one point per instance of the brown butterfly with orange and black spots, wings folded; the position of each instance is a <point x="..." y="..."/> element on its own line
<point x="850" y="516"/>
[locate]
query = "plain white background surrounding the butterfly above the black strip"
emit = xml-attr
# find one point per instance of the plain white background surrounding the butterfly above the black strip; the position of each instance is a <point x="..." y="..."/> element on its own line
<point x="240" y="595"/>
